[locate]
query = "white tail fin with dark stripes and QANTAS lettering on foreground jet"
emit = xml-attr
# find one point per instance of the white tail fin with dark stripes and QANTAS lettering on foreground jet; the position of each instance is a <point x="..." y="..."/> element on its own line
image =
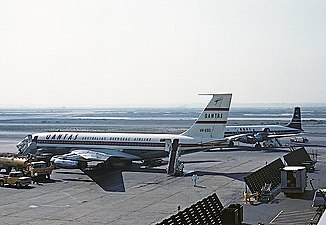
<point x="212" y="121"/>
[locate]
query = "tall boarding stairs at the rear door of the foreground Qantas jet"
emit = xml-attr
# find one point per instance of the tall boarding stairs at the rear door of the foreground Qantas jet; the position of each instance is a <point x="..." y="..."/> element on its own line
<point x="174" y="167"/>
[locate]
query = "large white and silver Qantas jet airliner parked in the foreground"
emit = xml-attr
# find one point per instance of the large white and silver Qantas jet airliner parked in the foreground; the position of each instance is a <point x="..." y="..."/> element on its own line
<point x="79" y="148"/>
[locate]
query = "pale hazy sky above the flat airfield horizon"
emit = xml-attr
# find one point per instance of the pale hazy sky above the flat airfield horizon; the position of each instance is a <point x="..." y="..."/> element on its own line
<point x="161" y="52"/>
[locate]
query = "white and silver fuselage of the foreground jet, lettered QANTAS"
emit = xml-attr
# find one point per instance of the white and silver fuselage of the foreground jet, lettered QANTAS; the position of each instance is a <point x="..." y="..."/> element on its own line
<point x="144" y="146"/>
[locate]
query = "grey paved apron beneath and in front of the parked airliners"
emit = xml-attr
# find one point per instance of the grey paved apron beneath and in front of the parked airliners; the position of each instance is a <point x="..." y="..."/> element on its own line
<point x="148" y="196"/>
